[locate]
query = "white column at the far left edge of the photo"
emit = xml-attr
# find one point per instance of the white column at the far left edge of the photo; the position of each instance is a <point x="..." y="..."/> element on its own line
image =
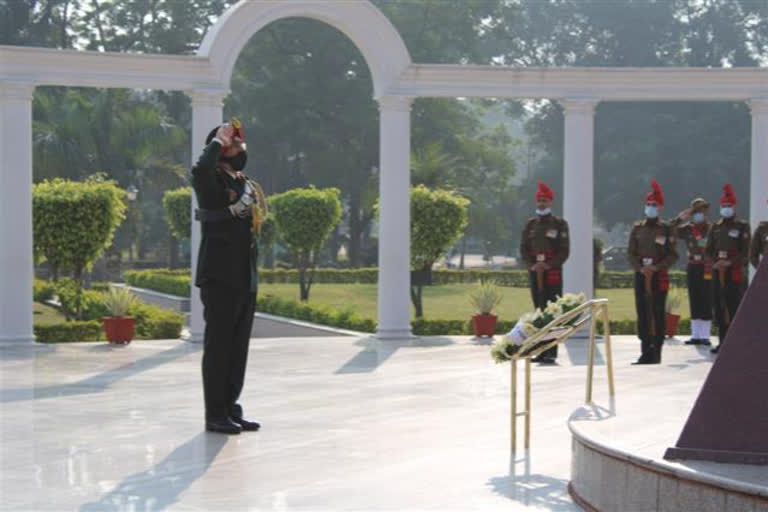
<point x="16" y="259"/>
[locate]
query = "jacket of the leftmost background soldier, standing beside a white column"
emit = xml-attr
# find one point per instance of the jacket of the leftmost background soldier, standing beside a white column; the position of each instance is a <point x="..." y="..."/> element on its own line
<point x="545" y="239"/>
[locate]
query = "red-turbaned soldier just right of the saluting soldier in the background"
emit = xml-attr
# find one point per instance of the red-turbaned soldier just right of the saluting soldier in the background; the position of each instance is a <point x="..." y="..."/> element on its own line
<point x="728" y="247"/>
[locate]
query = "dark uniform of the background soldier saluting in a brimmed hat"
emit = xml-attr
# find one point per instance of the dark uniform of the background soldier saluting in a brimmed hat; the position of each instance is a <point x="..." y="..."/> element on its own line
<point x="699" y="269"/>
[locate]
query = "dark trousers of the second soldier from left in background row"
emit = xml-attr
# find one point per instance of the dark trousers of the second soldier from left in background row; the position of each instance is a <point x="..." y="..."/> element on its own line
<point x="651" y="318"/>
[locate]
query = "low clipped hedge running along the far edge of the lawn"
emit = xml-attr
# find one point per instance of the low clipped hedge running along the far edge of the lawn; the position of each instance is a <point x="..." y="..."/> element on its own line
<point x="176" y="282"/>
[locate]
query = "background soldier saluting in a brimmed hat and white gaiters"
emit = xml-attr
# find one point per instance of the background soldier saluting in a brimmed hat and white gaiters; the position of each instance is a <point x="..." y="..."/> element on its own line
<point x="692" y="227"/>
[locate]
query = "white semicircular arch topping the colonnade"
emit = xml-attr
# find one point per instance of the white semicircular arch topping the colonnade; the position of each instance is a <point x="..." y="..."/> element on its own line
<point x="371" y="31"/>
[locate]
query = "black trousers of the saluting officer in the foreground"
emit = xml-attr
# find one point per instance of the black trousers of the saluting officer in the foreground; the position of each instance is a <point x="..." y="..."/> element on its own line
<point x="228" y="314"/>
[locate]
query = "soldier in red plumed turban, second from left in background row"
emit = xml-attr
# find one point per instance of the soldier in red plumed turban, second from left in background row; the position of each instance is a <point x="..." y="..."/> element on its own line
<point x="651" y="252"/>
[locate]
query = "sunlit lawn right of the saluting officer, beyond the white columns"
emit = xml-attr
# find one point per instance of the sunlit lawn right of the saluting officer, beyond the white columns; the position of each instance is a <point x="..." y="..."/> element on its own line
<point x="445" y="302"/>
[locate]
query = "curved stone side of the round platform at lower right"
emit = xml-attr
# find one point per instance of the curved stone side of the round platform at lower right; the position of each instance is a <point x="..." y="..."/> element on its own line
<point x="605" y="478"/>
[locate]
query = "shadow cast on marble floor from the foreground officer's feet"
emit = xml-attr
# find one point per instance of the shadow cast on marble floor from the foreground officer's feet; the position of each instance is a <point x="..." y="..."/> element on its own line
<point x="159" y="487"/>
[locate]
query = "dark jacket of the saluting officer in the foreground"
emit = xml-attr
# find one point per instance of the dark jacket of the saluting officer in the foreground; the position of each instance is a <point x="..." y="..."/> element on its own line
<point x="227" y="248"/>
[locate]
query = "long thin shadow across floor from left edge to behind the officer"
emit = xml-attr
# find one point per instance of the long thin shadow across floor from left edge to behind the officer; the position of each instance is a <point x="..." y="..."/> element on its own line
<point x="101" y="381"/>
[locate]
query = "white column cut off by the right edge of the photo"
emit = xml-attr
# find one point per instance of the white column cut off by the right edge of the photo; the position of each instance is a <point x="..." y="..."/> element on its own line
<point x="758" y="178"/>
